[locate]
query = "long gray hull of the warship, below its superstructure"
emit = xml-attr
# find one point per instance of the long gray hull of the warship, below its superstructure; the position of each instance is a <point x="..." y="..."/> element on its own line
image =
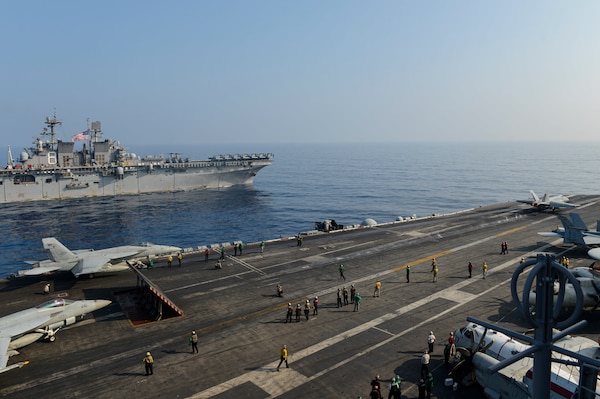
<point x="36" y="185"/>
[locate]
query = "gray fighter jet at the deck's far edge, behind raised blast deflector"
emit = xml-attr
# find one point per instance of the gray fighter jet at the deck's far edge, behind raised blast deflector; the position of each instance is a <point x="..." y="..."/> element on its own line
<point x="89" y="261"/>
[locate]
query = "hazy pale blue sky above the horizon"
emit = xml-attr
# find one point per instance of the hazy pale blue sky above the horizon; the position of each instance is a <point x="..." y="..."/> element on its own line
<point x="301" y="71"/>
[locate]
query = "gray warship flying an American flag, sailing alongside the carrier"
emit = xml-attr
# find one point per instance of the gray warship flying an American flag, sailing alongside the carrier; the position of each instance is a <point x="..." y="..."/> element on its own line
<point x="52" y="170"/>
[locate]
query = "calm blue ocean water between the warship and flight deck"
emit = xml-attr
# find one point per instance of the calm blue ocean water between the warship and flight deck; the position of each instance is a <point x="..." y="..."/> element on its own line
<point x="306" y="183"/>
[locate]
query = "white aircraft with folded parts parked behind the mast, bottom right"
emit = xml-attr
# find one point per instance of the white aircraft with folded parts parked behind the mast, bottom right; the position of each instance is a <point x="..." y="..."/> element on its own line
<point x="481" y="348"/>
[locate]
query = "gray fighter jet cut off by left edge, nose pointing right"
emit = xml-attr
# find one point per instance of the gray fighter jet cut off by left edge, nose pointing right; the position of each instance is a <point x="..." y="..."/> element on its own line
<point x="42" y="322"/>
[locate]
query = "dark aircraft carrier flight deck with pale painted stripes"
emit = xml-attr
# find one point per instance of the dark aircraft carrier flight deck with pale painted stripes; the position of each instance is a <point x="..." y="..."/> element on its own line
<point x="240" y="319"/>
